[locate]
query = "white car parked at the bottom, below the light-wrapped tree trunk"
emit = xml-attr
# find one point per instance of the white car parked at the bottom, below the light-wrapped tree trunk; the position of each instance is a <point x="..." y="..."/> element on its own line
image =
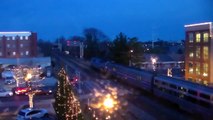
<point x="29" y="113"/>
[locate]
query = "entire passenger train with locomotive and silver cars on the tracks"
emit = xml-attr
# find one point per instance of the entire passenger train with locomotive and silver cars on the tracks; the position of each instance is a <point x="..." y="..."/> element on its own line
<point x="189" y="96"/>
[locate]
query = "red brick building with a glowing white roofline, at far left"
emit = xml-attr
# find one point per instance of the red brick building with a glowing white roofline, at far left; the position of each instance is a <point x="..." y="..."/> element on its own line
<point x="18" y="44"/>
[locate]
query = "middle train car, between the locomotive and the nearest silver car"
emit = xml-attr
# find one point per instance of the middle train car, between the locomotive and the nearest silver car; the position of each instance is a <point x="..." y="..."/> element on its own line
<point x="134" y="77"/>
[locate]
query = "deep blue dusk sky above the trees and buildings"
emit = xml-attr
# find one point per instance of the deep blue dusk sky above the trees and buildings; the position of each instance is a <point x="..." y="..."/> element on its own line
<point x="145" y="19"/>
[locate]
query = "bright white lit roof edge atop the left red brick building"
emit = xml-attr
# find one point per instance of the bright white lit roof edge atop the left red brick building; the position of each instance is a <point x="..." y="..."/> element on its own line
<point x="11" y="34"/>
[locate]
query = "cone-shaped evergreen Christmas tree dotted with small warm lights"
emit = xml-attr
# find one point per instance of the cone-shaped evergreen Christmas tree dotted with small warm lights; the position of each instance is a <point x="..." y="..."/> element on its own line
<point x="66" y="105"/>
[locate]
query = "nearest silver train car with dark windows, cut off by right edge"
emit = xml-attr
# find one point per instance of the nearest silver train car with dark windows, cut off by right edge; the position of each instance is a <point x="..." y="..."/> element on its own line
<point x="192" y="97"/>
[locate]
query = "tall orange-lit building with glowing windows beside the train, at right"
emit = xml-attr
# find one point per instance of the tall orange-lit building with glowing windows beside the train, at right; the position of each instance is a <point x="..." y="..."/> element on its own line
<point x="199" y="53"/>
